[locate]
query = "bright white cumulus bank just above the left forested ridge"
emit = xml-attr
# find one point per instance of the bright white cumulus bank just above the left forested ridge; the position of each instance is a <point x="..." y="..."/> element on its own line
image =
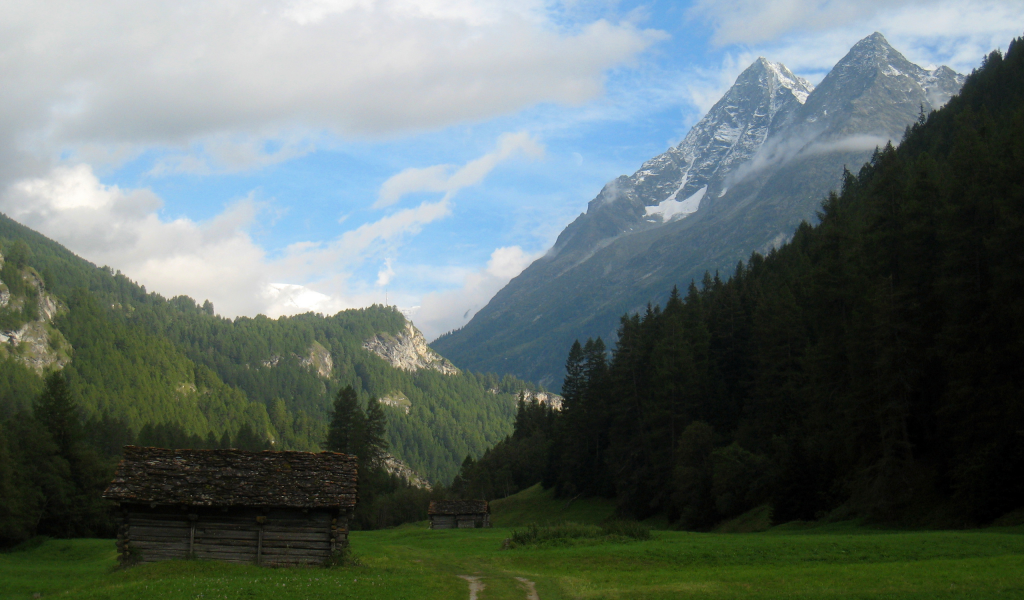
<point x="217" y="260"/>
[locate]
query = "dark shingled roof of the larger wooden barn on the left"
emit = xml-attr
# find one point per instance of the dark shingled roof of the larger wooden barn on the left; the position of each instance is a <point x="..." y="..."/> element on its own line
<point x="232" y="478"/>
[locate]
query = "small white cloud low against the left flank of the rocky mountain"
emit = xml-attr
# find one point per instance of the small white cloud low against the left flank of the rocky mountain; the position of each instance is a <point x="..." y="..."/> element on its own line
<point x="444" y="312"/>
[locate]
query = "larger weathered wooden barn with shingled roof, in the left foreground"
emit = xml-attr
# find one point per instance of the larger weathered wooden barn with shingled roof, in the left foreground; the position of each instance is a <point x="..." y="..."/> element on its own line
<point x="270" y="508"/>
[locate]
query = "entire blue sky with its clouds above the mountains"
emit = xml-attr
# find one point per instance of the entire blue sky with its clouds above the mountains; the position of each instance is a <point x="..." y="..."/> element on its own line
<point x="279" y="157"/>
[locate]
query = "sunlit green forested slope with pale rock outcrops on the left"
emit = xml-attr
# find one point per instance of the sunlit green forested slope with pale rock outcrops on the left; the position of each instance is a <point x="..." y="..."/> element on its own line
<point x="135" y="359"/>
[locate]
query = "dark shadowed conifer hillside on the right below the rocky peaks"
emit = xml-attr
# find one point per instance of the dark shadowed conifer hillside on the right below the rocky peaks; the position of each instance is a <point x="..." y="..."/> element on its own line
<point x="874" y="366"/>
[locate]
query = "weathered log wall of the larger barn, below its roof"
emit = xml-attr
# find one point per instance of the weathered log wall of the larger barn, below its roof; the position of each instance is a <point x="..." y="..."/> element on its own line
<point x="267" y="537"/>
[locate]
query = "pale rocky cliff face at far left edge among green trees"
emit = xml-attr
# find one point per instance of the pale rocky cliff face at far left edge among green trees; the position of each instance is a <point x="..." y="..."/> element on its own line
<point x="27" y="333"/>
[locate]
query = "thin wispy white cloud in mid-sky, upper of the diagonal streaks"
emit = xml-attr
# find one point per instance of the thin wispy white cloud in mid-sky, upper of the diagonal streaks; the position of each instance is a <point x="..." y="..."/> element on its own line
<point x="437" y="179"/>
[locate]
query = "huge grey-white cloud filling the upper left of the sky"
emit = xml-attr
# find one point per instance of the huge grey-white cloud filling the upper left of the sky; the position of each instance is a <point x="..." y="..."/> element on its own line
<point x="218" y="79"/>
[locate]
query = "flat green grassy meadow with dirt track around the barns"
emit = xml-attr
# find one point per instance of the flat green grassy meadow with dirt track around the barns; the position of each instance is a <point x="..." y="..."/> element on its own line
<point x="835" y="562"/>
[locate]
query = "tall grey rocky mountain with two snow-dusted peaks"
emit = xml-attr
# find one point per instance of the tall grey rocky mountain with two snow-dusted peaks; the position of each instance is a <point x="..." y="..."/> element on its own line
<point x="759" y="163"/>
